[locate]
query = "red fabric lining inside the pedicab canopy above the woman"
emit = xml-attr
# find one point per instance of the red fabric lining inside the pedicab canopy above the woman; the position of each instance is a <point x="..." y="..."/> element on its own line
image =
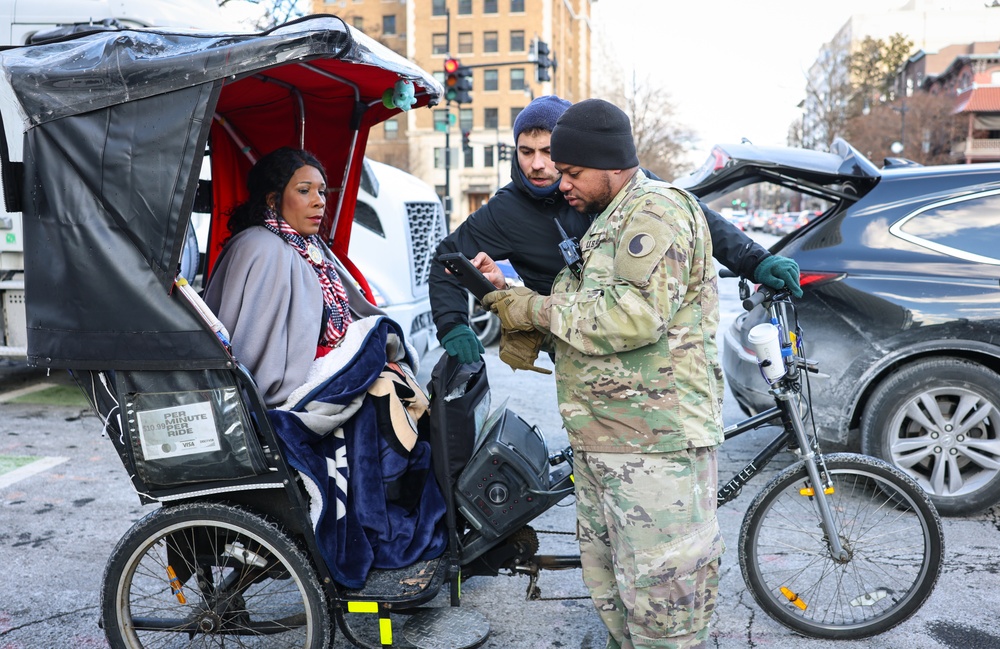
<point x="314" y="105"/>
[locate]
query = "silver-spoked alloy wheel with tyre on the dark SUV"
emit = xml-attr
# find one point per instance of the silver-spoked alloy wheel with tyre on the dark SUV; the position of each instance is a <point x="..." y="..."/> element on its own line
<point x="939" y="421"/>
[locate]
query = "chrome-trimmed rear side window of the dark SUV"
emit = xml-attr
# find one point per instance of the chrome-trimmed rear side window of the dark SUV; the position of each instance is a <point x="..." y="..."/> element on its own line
<point x="968" y="229"/>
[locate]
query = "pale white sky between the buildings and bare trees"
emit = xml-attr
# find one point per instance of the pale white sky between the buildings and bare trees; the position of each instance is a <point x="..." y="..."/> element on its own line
<point x="732" y="68"/>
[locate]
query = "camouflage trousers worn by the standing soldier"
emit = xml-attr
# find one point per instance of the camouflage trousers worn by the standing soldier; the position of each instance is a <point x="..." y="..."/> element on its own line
<point x="650" y="544"/>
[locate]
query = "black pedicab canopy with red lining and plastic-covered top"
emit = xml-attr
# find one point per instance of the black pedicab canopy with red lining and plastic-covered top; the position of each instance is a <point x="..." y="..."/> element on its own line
<point x="116" y="129"/>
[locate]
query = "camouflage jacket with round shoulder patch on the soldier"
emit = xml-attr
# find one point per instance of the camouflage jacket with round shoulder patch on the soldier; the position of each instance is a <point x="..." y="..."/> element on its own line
<point x="636" y="361"/>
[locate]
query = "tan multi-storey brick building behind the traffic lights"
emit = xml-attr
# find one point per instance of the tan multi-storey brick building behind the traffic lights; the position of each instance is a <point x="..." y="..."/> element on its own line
<point x="492" y="37"/>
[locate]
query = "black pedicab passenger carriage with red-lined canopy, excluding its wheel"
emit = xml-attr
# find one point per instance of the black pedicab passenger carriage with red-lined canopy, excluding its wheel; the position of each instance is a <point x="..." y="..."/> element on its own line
<point x="115" y="127"/>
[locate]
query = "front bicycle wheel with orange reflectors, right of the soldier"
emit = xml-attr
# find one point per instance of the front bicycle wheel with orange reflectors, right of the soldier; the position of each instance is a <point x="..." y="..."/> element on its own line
<point x="887" y="525"/>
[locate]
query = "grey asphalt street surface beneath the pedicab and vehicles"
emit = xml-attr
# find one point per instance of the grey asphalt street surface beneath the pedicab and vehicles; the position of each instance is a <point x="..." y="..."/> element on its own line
<point x="60" y="524"/>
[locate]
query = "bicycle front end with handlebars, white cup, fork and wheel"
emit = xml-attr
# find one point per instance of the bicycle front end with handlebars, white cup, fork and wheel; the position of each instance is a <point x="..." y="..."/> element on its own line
<point x="838" y="546"/>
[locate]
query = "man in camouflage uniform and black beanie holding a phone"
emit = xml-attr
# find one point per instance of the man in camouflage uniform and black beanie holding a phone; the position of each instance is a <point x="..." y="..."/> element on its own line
<point x="639" y="385"/>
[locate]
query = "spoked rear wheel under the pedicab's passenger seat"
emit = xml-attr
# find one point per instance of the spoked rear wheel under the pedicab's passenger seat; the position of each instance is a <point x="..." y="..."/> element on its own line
<point x="206" y="574"/>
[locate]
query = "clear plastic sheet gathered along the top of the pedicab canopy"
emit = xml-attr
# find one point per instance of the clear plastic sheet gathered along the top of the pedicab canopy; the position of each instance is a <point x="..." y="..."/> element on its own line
<point x="60" y="79"/>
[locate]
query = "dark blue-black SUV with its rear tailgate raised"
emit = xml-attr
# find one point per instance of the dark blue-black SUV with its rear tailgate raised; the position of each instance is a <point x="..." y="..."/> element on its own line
<point x="901" y="277"/>
